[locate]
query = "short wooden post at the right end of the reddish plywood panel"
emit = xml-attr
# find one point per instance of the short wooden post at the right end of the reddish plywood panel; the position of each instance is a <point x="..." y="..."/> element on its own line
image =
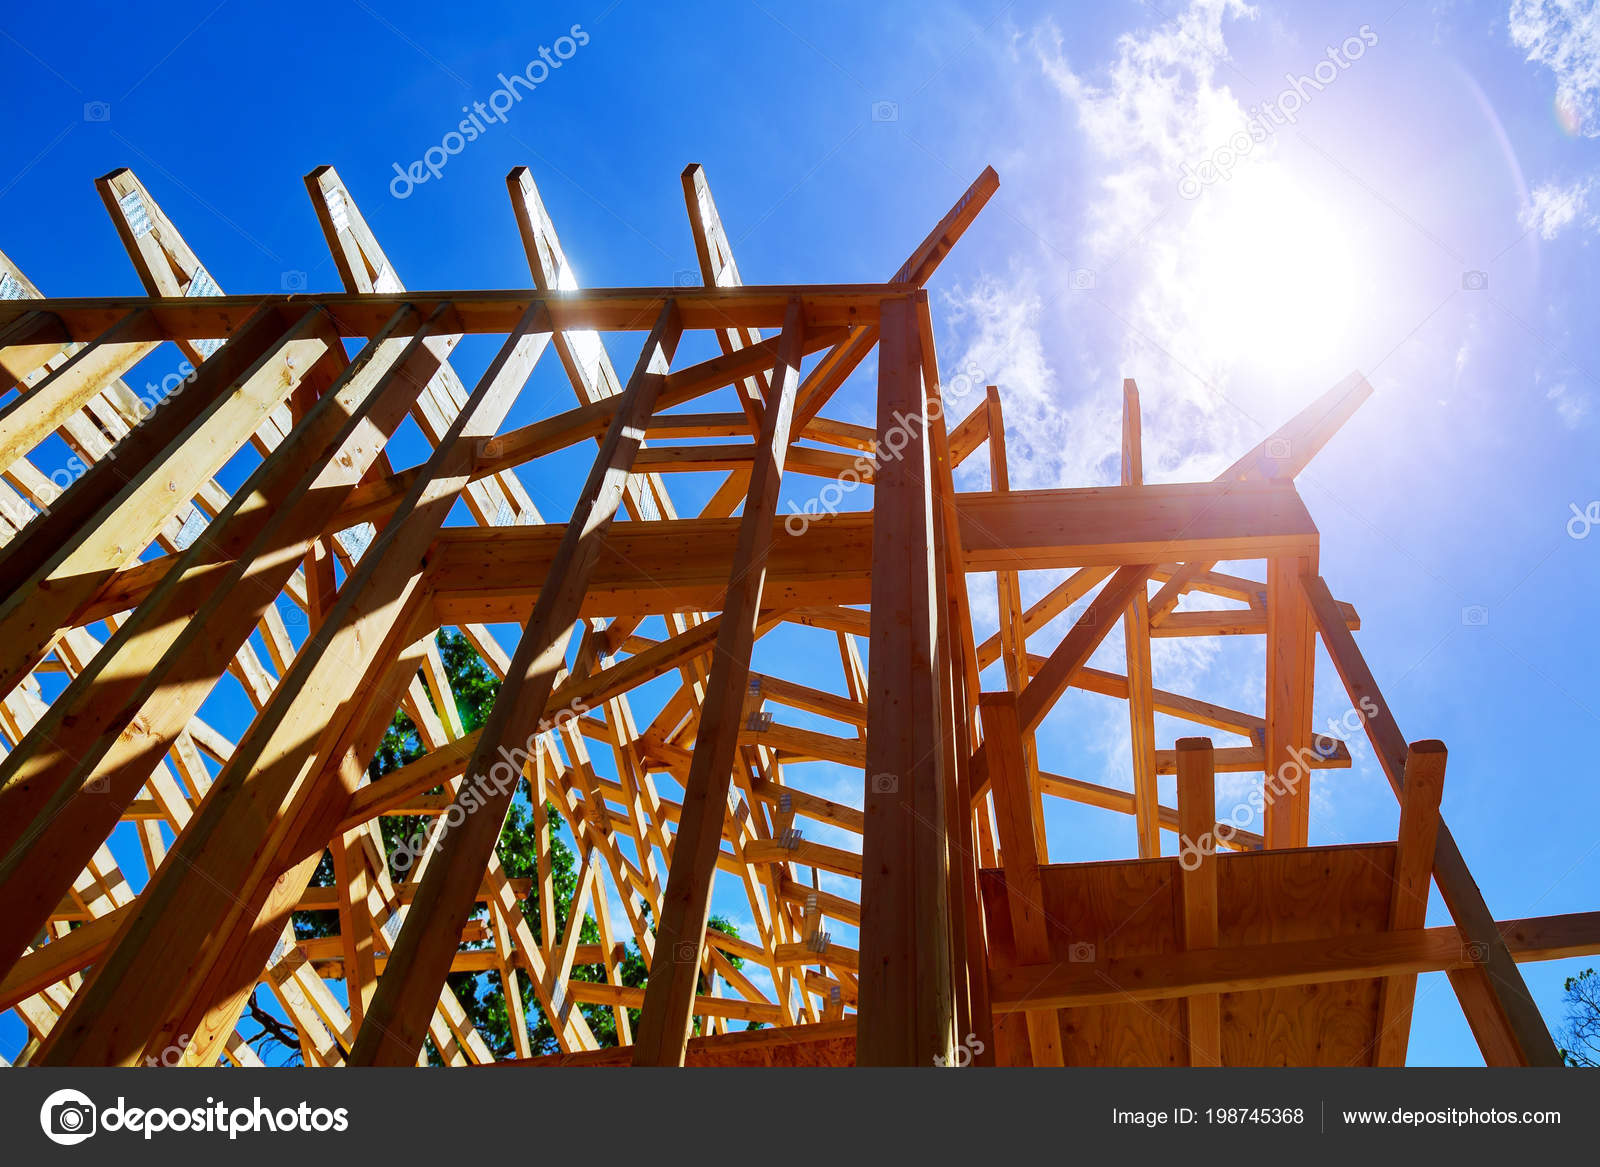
<point x="1425" y="787"/>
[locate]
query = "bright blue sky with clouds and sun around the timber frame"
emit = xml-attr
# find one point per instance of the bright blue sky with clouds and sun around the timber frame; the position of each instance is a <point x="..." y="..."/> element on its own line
<point x="1428" y="217"/>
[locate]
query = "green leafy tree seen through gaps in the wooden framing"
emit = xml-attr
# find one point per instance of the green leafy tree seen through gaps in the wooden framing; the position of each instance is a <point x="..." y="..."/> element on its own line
<point x="482" y="995"/>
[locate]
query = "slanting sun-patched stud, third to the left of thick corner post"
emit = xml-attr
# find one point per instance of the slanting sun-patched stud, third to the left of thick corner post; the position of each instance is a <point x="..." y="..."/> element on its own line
<point x="220" y="902"/>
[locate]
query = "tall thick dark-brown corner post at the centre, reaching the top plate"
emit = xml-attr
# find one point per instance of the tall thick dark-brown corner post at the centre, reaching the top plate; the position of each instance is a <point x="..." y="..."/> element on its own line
<point x="906" y="1006"/>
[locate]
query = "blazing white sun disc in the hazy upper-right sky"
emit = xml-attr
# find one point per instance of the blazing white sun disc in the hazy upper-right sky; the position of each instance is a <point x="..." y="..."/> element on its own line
<point x="1278" y="279"/>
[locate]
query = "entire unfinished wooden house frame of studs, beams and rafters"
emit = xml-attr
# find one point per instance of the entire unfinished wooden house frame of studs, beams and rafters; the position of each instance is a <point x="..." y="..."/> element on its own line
<point x="130" y="595"/>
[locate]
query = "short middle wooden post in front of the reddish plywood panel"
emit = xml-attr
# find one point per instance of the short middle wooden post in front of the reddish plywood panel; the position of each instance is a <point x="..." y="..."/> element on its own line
<point x="1198" y="860"/>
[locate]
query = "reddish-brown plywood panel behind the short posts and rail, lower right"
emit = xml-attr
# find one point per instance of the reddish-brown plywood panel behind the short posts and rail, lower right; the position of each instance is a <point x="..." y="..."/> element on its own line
<point x="1135" y="908"/>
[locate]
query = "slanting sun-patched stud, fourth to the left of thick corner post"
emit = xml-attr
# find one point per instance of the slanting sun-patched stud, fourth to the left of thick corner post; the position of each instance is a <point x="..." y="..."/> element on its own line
<point x="81" y="768"/>
